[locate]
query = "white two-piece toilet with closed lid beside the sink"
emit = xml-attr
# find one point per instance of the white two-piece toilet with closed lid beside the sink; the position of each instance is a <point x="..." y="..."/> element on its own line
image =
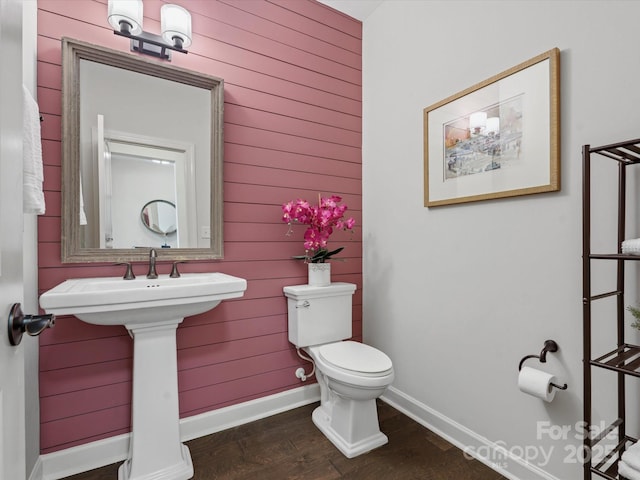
<point x="351" y="375"/>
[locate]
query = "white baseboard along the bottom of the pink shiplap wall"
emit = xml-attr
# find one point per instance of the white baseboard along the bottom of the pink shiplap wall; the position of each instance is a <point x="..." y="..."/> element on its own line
<point x="61" y="464"/>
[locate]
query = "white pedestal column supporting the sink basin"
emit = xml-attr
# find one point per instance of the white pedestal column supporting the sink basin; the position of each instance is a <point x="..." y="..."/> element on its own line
<point x="155" y="450"/>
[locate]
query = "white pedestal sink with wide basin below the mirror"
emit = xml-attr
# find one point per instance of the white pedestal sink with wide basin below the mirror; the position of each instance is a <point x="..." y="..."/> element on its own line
<point x="151" y="310"/>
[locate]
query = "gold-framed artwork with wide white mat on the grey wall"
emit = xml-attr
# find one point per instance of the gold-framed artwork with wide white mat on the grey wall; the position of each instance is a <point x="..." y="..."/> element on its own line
<point x="499" y="138"/>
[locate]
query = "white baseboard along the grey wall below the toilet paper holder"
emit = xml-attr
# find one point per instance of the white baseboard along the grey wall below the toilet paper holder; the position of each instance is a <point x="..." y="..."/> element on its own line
<point x="495" y="456"/>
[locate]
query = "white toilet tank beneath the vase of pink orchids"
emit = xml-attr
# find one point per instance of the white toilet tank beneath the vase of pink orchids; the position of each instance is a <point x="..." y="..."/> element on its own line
<point x="319" y="315"/>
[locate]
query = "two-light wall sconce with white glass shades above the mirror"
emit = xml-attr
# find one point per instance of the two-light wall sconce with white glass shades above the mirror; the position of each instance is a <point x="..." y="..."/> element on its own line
<point x="125" y="16"/>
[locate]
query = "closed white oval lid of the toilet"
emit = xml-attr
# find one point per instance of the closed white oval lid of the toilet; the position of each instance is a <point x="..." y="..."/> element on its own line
<point x="356" y="357"/>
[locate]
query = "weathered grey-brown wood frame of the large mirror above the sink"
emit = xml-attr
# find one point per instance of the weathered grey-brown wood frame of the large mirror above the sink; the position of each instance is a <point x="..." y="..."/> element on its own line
<point x="73" y="51"/>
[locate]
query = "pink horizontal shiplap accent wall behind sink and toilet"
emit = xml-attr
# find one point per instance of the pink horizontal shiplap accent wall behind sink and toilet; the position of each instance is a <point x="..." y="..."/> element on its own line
<point x="292" y="71"/>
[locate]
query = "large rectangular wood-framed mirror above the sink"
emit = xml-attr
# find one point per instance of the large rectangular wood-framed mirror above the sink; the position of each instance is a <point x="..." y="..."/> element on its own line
<point x="133" y="130"/>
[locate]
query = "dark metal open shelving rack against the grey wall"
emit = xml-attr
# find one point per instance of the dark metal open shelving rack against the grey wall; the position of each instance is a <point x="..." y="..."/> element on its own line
<point x="625" y="358"/>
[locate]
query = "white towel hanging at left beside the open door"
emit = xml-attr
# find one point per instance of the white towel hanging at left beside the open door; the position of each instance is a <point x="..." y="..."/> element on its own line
<point x="33" y="196"/>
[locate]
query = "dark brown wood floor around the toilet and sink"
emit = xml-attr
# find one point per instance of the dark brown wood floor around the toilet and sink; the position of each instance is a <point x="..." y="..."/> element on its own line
<point x="289" y="446"/>
